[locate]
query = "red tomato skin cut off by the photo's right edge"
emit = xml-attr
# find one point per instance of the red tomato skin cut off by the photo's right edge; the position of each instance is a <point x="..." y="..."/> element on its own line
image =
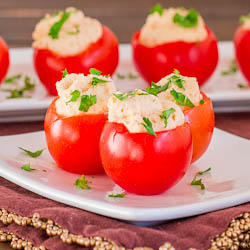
<point x="242" y="50"/>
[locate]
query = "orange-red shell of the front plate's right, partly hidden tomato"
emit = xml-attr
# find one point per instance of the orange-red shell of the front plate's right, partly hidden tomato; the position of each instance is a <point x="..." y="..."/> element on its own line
<point x="201" y="121"/>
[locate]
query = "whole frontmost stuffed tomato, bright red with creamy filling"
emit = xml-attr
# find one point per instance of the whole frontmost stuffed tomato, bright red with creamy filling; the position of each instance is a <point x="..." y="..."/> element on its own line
<point x="146" y="146"/>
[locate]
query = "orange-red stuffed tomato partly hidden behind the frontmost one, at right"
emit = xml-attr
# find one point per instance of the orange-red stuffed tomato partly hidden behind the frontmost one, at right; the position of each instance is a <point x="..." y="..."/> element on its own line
<point x="197" y="107"/>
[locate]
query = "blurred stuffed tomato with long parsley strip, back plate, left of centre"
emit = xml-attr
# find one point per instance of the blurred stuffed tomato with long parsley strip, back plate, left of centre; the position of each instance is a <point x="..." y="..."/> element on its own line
<point x="73" y="41"/>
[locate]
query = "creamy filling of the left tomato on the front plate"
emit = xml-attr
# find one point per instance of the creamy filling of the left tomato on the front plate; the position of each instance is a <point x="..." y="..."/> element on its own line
<point x="79" y="94"/>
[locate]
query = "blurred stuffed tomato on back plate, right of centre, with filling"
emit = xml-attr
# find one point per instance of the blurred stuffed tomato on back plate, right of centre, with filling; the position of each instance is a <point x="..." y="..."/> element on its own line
<point x="175" y="39"/>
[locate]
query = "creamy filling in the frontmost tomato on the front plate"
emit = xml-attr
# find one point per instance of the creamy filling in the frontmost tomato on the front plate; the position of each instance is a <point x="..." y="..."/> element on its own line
<point x="163" y="114"/>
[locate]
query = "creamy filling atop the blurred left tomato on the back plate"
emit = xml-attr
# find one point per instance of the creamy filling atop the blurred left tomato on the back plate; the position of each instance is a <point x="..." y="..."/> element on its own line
<point x="75" y="35"/>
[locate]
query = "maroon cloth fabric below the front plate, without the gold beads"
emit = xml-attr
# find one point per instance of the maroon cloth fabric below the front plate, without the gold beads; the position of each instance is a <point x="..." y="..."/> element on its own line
<point x="183" y="234"/>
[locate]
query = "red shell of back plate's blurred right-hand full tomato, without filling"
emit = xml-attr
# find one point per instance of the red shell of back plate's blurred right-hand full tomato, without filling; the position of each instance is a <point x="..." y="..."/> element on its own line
<point x="191" y="59"/>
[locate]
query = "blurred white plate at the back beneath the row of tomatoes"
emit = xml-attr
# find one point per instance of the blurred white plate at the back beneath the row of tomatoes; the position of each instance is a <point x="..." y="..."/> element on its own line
<point x="223" y="90"/>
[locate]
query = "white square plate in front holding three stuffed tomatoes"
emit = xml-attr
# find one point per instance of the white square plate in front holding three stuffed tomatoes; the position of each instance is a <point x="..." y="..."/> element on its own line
<point x="226" y="185"/>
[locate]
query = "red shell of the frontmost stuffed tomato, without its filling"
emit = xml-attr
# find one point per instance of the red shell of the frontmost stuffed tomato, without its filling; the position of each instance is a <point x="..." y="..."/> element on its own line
<point x="144" y="164"/>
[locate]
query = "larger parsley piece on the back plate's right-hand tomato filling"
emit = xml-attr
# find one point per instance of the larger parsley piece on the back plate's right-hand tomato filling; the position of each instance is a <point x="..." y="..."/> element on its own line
<point x="190" y="20"/>
